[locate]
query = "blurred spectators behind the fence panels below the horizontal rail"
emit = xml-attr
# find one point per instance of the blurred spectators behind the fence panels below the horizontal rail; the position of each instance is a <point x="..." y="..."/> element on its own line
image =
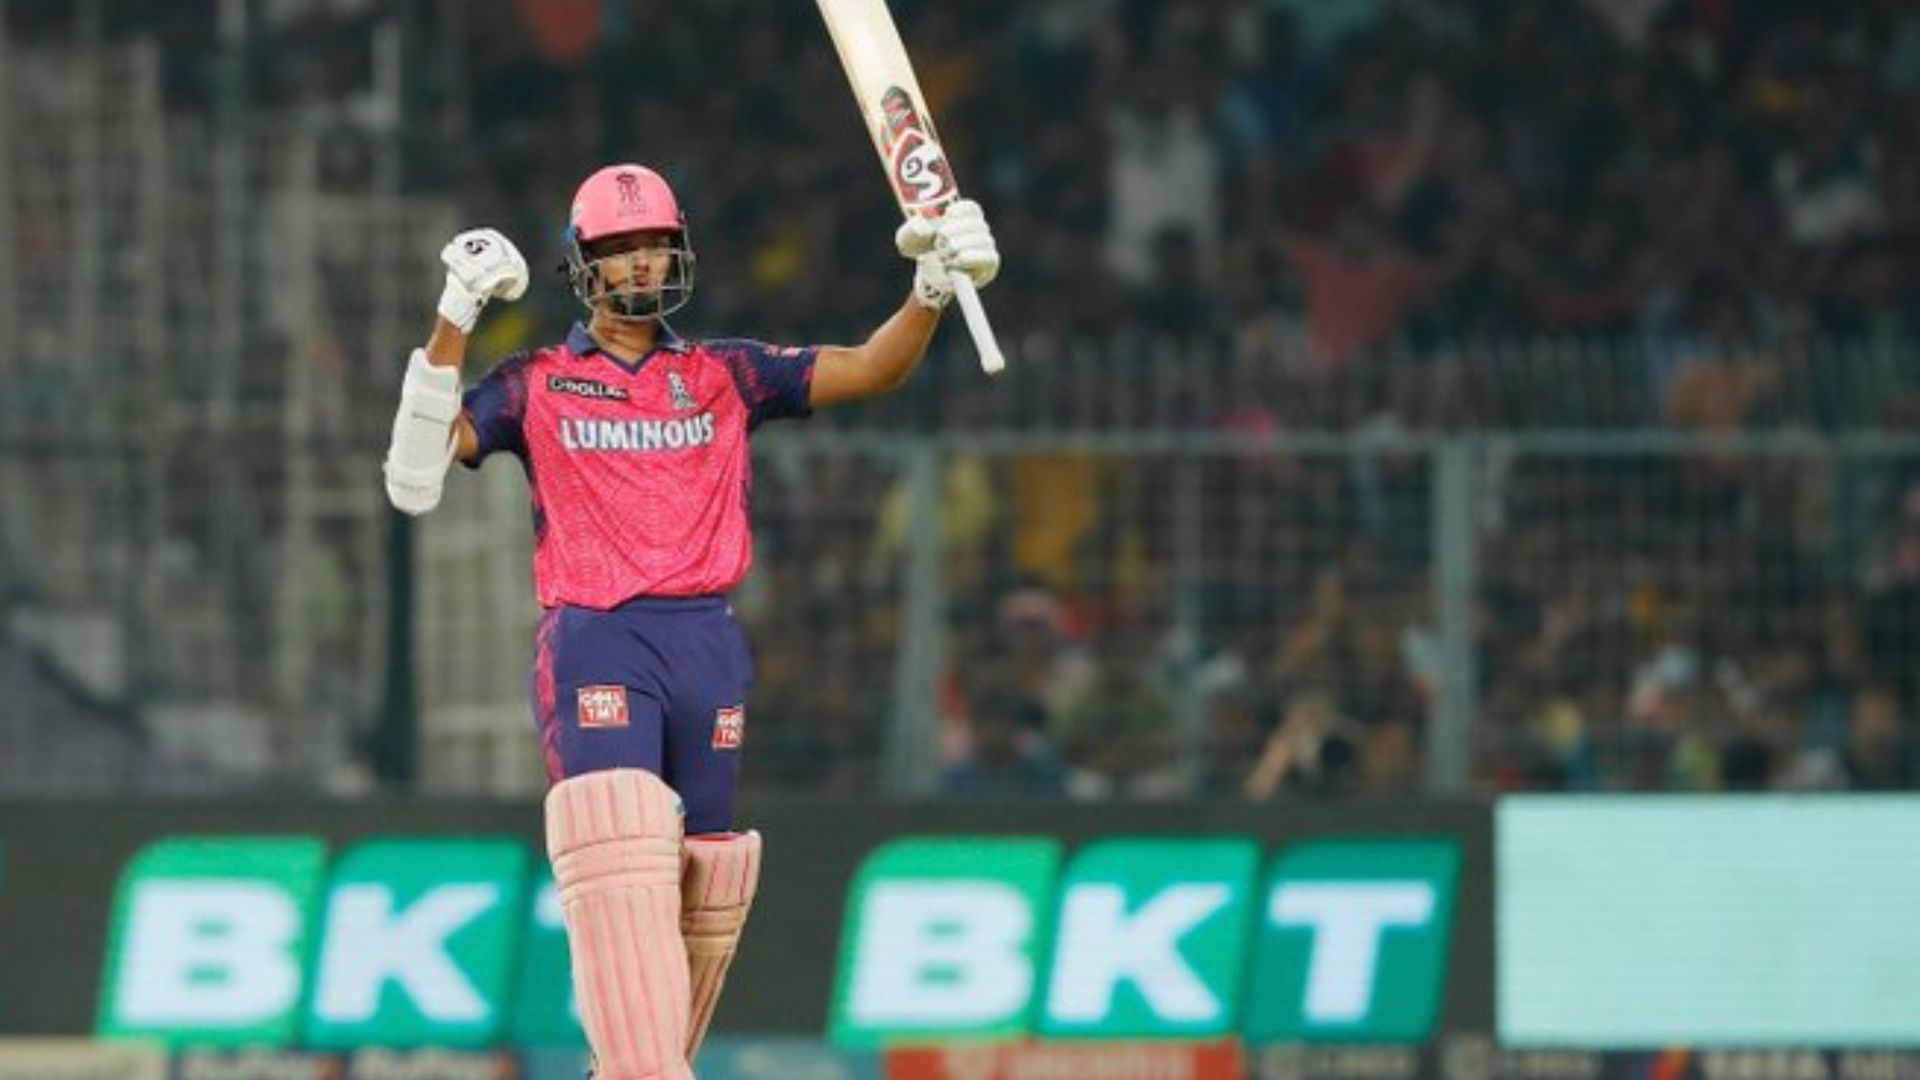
<point x="1641" y="624"/>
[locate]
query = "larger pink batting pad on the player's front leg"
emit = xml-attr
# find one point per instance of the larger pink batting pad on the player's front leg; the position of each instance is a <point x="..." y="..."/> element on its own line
<point x="615" y="847"/>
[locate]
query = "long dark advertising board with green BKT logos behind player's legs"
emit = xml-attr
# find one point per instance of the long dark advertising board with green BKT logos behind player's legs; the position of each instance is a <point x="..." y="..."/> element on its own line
<point x="876" y="925"/>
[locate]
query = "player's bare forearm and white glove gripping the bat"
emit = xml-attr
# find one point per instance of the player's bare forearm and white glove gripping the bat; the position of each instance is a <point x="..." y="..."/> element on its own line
<point x="959" y="243"/>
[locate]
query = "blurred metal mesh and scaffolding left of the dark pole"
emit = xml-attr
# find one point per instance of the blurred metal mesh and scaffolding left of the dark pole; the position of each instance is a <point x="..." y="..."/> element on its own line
<point x="199" y="331"/>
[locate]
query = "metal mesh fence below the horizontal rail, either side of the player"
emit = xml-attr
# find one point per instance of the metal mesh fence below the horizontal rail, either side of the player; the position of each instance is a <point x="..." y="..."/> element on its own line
<point x="1272" y="616"/>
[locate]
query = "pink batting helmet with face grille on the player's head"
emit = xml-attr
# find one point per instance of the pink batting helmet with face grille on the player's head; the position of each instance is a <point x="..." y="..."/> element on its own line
<point x="627" y="199"/>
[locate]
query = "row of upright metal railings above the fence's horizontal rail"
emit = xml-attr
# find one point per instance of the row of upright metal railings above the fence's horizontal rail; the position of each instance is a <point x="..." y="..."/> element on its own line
<point x="1262" y="380"/>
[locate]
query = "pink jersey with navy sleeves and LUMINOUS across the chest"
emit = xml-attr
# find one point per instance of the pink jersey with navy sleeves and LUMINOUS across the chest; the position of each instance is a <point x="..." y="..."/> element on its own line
<point x="640" y="474"/>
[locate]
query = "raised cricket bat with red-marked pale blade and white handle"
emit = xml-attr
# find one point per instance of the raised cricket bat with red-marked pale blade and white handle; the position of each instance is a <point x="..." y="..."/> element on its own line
<point x="903" y="134"/>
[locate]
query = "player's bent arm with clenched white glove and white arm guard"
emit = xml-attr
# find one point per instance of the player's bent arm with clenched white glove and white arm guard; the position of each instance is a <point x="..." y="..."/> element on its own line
<point x="429" y="430"/>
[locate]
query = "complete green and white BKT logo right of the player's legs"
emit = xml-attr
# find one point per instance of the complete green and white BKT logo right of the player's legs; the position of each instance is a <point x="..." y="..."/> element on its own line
<point x="1147" y="939"/>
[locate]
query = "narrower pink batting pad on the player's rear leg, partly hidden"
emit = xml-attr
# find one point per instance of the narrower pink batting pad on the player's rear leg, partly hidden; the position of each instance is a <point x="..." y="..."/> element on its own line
<point x="717" y="889"/>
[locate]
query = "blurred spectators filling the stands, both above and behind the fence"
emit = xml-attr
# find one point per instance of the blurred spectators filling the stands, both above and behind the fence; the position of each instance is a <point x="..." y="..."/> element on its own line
<point x="1355" y="216"/>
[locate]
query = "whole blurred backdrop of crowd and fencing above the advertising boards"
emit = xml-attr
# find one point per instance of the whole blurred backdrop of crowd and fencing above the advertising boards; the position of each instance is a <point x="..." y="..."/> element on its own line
<point x="1412" y="401"/>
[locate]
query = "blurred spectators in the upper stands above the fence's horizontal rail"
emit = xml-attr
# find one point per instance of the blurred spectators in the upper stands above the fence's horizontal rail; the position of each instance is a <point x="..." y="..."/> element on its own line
<point x="1297" y="184"/>
